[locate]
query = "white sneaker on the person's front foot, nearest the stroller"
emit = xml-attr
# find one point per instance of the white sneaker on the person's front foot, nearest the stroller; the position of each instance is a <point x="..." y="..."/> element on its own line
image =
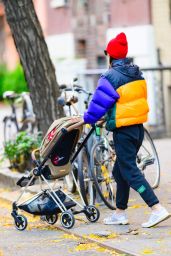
<point x="116" y="219"/>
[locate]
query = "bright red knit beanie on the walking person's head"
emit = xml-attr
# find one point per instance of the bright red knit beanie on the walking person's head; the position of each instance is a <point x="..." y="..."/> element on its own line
<point x="117" y="48"/>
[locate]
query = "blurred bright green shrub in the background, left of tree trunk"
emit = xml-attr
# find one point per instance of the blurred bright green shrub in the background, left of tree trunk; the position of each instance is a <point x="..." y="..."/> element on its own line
<point x="12" y="80"/>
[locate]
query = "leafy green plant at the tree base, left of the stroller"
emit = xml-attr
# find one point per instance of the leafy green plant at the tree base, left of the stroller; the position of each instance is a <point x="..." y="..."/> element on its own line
<point x="19" y="150"/>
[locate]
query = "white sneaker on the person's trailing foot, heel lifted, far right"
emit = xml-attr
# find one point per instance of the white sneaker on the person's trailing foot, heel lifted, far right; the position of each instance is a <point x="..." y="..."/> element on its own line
<point x="156" y="217"/>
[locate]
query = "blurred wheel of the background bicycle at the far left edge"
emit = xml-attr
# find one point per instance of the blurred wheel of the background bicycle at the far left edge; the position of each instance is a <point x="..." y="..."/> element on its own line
<point x="10" y="129"/>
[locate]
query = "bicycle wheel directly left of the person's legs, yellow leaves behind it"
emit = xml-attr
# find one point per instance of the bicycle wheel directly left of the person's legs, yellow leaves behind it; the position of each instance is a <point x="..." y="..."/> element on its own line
<point x="101" y="162"/>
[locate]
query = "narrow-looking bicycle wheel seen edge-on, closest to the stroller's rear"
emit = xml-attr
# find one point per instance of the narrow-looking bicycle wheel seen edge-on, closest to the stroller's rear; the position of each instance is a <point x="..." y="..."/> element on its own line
<point x="86" y="184"/>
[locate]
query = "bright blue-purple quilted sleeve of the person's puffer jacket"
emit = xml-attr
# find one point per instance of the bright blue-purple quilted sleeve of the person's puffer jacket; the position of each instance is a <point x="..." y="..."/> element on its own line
<point x="103" y="99"/>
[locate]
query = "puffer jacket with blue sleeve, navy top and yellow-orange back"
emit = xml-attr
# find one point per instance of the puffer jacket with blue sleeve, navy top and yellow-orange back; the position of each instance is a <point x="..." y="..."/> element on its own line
<point x="122" y="94"/>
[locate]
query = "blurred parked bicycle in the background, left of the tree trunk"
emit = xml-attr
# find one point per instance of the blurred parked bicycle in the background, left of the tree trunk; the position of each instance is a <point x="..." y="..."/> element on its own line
<point x="28" y="121"/>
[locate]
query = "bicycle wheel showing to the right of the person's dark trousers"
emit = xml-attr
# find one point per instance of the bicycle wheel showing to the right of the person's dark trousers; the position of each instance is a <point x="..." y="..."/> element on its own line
<point x="148" y="161"/>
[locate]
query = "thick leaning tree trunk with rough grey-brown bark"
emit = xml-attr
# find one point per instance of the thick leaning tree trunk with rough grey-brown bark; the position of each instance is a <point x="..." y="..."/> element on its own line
<point x="34" y="56"/>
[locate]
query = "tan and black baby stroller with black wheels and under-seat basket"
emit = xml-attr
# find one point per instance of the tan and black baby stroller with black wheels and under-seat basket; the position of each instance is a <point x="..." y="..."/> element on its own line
<point x="56" y="154"/>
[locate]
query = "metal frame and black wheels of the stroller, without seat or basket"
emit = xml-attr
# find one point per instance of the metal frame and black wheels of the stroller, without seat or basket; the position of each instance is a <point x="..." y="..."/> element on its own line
<point x="67" y="215"/>
